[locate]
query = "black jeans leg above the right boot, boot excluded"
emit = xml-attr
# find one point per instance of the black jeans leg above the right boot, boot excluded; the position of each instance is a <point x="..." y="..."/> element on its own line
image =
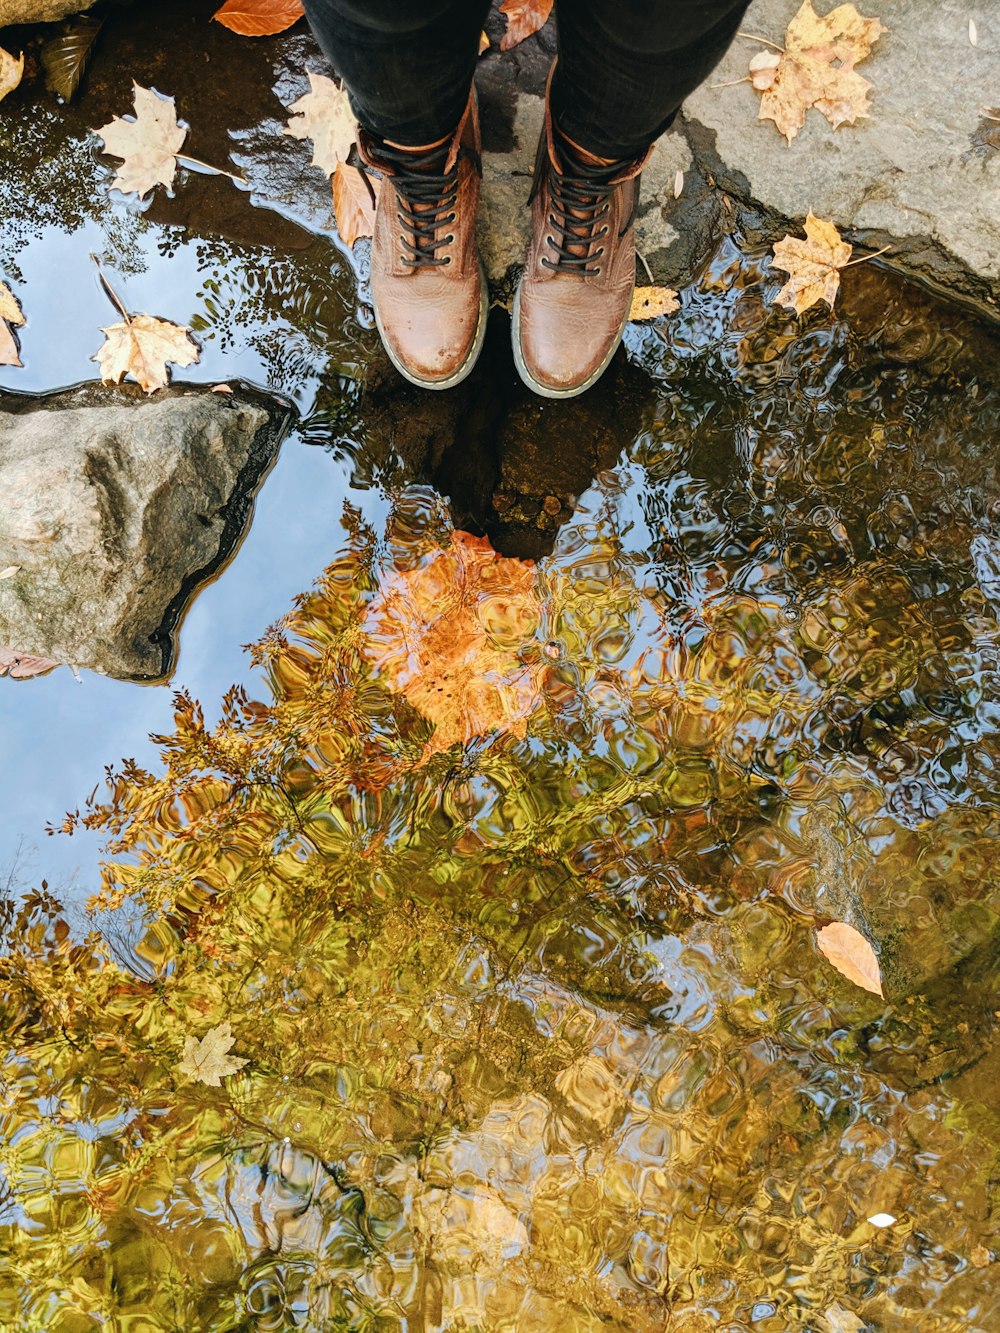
<point x="625" y="69"/>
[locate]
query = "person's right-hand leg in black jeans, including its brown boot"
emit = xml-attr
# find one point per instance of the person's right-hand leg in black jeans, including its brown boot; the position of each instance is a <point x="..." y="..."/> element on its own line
<point x="623" y="70"/>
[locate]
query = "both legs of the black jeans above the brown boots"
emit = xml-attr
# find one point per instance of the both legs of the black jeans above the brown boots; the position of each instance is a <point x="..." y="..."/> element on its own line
<point x="625" y="66"/>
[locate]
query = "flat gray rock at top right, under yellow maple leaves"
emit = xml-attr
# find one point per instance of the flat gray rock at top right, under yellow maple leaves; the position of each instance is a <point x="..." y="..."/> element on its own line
<point x="919" y="173"/>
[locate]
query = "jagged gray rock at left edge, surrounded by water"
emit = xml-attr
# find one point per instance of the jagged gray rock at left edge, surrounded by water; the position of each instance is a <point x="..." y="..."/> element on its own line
<point x="117" y="509"/>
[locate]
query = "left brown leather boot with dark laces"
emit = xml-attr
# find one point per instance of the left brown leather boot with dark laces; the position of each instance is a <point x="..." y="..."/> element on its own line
<point x="429" y="286"/>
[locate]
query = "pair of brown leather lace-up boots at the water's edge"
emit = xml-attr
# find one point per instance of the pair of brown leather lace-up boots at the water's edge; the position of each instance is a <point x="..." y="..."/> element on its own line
<point x="429" y="285"/>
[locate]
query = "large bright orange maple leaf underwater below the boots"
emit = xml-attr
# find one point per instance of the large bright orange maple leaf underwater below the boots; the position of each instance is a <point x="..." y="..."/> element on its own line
<point x="447" y="637"/>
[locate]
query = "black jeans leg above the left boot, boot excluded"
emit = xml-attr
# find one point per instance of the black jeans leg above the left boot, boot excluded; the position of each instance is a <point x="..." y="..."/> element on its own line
<point x="407" y="66"/>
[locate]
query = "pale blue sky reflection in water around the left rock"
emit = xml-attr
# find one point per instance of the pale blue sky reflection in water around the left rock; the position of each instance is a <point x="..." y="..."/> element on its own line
<point x="58" y="734"/>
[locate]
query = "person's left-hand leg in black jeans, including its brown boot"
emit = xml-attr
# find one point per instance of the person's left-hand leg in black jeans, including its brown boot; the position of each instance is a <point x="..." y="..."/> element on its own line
<point x="409" y="69"/>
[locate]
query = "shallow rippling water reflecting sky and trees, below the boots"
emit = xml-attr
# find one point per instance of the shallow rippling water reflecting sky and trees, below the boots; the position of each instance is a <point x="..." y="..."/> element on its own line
<point x="507" y="876"/>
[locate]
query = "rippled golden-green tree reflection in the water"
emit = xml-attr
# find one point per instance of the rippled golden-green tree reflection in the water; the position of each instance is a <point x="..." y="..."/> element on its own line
<point x="538" y="1032"/>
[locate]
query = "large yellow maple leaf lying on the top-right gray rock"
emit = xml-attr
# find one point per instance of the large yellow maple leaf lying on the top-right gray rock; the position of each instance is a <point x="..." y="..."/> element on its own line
<point x="817" y="70"/>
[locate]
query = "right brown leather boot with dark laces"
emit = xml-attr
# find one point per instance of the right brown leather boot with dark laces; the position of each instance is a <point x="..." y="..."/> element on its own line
<point x="577" y="290"/>
